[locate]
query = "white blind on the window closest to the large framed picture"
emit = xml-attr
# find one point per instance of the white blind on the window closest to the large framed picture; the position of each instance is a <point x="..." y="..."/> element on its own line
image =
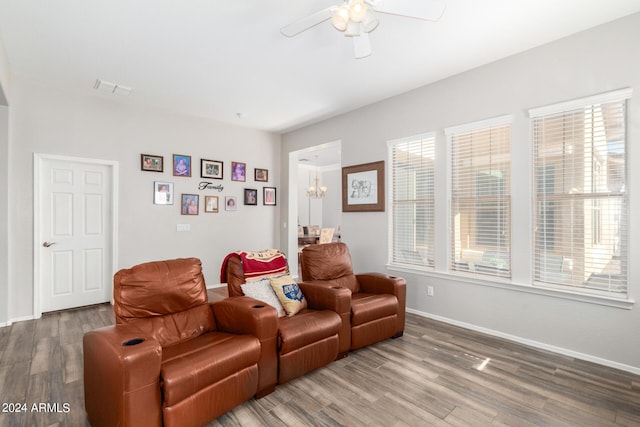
<point x="412" y="216"/>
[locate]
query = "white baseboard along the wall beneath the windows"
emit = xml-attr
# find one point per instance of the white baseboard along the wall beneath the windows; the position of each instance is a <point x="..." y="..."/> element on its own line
<point x="560" y="350"/>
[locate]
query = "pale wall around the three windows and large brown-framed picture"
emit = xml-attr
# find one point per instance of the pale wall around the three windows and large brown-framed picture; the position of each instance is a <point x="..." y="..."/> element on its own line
<point x="600" y="60"/>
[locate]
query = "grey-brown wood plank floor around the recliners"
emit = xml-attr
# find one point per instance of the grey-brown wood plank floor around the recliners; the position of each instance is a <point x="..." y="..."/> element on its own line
<point x="436" y="374"/>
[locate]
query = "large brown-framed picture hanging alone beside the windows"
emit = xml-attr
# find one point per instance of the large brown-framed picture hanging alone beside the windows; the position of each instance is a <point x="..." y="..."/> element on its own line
<point x="363" y="188"/>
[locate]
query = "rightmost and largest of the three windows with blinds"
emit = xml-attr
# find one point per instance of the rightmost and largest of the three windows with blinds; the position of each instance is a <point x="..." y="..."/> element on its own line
<point x="580" y="223"/>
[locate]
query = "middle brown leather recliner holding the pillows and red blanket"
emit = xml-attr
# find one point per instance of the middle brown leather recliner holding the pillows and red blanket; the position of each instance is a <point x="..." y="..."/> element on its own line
<point x="309" y="339"/>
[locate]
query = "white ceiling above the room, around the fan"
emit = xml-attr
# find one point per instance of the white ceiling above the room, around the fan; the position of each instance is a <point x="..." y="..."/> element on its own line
<point x="218" y="58"/>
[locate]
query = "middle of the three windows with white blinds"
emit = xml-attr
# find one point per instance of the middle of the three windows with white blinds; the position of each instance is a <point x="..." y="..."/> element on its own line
<point x="480" y="197"/>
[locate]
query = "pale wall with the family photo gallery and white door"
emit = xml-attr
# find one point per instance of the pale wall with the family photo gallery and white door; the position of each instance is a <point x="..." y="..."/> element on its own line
<point x="47" y="120"/>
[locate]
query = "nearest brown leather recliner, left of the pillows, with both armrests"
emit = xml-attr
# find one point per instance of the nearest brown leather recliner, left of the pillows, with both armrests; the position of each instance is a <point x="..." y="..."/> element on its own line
<point x="172" y="358"/>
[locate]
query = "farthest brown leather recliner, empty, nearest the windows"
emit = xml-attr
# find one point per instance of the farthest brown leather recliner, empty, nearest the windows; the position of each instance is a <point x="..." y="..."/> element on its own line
<point x="378" y="301"/>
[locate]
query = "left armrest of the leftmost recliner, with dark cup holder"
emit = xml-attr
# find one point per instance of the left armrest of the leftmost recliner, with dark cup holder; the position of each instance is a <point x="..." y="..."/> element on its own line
<point x="122" y="377"/>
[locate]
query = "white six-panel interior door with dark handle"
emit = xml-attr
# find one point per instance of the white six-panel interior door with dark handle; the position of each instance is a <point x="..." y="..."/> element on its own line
<point x="76" y="236"/>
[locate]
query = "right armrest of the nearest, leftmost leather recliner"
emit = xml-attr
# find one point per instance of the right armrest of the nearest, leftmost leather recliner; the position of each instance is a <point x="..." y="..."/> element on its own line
<point x="245" y="315"/>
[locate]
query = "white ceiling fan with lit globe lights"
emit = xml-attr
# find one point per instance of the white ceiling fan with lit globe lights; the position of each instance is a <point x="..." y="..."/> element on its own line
<point x="357" y="18"/>
